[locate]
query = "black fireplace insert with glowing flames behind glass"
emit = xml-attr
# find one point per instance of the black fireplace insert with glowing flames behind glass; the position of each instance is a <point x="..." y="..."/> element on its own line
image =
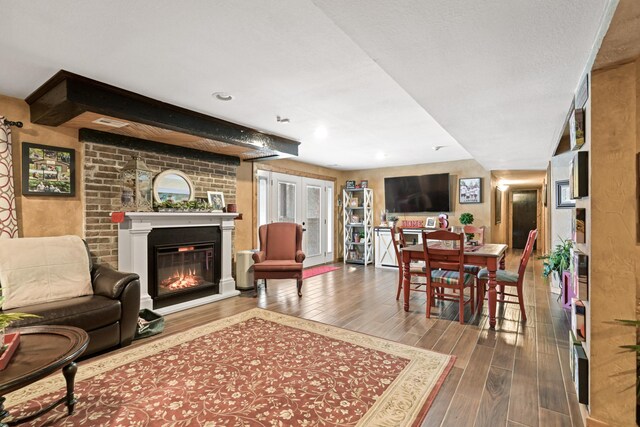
<point x="184" y="264"/>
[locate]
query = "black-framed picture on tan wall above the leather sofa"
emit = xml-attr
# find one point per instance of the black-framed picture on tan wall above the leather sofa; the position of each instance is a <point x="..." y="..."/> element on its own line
<point x="48" y="170"/>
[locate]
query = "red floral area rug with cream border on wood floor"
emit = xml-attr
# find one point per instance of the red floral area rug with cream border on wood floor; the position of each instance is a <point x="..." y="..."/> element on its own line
<point x="257" y="368"/>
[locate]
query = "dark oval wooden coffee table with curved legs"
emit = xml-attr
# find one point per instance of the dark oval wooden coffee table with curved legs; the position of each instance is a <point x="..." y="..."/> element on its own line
<point x="42" y="351"/>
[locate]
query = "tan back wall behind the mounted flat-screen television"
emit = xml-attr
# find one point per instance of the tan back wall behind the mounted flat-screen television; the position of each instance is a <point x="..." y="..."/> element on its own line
<point x="458" y="169"/>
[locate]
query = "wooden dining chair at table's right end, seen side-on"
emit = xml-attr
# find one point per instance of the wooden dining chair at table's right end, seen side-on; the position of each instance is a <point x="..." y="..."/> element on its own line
<point x="506" y="278"/>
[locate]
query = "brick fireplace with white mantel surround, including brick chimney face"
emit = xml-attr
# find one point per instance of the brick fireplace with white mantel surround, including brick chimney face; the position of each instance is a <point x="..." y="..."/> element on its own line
<point x="121" y="246"/>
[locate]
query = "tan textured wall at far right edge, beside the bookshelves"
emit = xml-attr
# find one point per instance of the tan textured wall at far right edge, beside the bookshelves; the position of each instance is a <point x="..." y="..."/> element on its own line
<point x="615" y="100"/>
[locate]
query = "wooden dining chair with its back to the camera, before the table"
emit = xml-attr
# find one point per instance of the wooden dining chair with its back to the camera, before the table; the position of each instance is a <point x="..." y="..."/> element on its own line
<point x="444" y="263"/>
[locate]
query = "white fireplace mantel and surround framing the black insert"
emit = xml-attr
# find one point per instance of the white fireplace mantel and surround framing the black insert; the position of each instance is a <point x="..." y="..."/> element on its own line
<point x="133" y="251"/>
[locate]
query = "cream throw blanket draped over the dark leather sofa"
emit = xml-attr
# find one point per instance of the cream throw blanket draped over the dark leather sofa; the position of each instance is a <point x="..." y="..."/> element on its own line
<point x="43" y="269"/>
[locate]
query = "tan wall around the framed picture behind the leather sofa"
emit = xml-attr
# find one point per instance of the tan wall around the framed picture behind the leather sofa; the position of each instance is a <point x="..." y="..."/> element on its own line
<point x="43" y="216"/>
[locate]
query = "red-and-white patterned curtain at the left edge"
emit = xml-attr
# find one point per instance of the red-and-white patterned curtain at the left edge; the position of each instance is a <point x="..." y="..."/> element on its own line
<point x="8" y="216"/>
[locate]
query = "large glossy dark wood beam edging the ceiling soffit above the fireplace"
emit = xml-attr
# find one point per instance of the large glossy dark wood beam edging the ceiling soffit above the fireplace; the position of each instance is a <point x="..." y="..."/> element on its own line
<point x="66" y="95"/>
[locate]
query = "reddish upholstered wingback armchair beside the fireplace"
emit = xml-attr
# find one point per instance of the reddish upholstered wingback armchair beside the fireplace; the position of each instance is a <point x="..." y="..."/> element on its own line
<point x="280" y="255"/>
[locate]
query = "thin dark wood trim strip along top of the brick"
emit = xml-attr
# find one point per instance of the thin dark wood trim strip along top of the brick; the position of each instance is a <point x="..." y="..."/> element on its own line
<point x="137" y="144"/>
